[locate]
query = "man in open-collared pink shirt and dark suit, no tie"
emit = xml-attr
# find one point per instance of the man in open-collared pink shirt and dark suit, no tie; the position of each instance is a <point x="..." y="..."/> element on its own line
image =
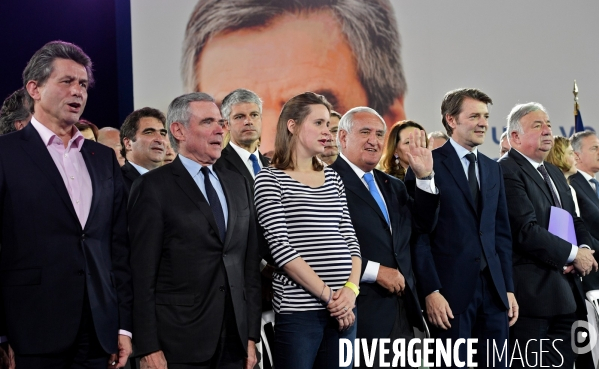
<point x="64" y="269"/>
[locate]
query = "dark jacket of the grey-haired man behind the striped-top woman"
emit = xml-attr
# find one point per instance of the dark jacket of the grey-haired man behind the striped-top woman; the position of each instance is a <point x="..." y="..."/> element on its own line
<point x="229" y="159"/>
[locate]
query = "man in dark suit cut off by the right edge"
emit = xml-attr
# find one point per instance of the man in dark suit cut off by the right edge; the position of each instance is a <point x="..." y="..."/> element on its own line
<point x="586" y="151"/>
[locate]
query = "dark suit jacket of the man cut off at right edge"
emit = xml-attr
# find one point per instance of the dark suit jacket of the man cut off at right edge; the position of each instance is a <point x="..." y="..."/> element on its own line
<point x="588" y="204"/>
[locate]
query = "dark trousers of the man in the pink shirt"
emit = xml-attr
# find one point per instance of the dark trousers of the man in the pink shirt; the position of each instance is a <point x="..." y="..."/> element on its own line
<point x="86" y="351"/>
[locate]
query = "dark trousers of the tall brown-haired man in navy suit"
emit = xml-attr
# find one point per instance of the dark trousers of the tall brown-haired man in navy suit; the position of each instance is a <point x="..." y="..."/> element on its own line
<point x="486" y="319"/>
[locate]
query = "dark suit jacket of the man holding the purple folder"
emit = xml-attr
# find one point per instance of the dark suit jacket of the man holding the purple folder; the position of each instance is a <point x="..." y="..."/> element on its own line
<point x="541" y="287"/>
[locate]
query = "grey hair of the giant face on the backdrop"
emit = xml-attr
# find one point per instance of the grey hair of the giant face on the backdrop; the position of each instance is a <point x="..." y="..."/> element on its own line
<point x="370" y="28"/>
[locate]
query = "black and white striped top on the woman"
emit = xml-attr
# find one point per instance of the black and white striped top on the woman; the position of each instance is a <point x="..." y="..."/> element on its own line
<point x="308" y="222"/>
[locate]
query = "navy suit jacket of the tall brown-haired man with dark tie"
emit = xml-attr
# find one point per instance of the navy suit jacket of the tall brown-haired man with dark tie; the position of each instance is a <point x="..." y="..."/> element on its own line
<point x="449" y="258"/>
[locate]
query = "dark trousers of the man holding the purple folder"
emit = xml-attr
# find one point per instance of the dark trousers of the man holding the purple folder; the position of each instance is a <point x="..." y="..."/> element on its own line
<point x="556" y="345"/>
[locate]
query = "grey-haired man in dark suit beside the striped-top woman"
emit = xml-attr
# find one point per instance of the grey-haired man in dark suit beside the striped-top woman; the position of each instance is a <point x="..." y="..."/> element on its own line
<point x="194" y="256"/>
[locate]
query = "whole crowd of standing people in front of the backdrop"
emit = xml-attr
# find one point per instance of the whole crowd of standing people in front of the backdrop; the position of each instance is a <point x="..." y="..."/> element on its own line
<point x="169" y="237"/>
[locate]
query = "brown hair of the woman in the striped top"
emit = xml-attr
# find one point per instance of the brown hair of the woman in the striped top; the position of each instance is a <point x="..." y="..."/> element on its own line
<point x="296" y="109"/>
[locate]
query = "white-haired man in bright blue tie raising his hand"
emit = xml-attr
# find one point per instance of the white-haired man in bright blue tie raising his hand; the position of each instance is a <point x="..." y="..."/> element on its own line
<point x="387" y="305"/>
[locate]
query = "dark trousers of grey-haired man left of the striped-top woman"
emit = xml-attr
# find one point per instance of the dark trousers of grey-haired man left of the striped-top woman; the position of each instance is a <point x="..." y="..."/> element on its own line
<point x="229" y="354"/>
